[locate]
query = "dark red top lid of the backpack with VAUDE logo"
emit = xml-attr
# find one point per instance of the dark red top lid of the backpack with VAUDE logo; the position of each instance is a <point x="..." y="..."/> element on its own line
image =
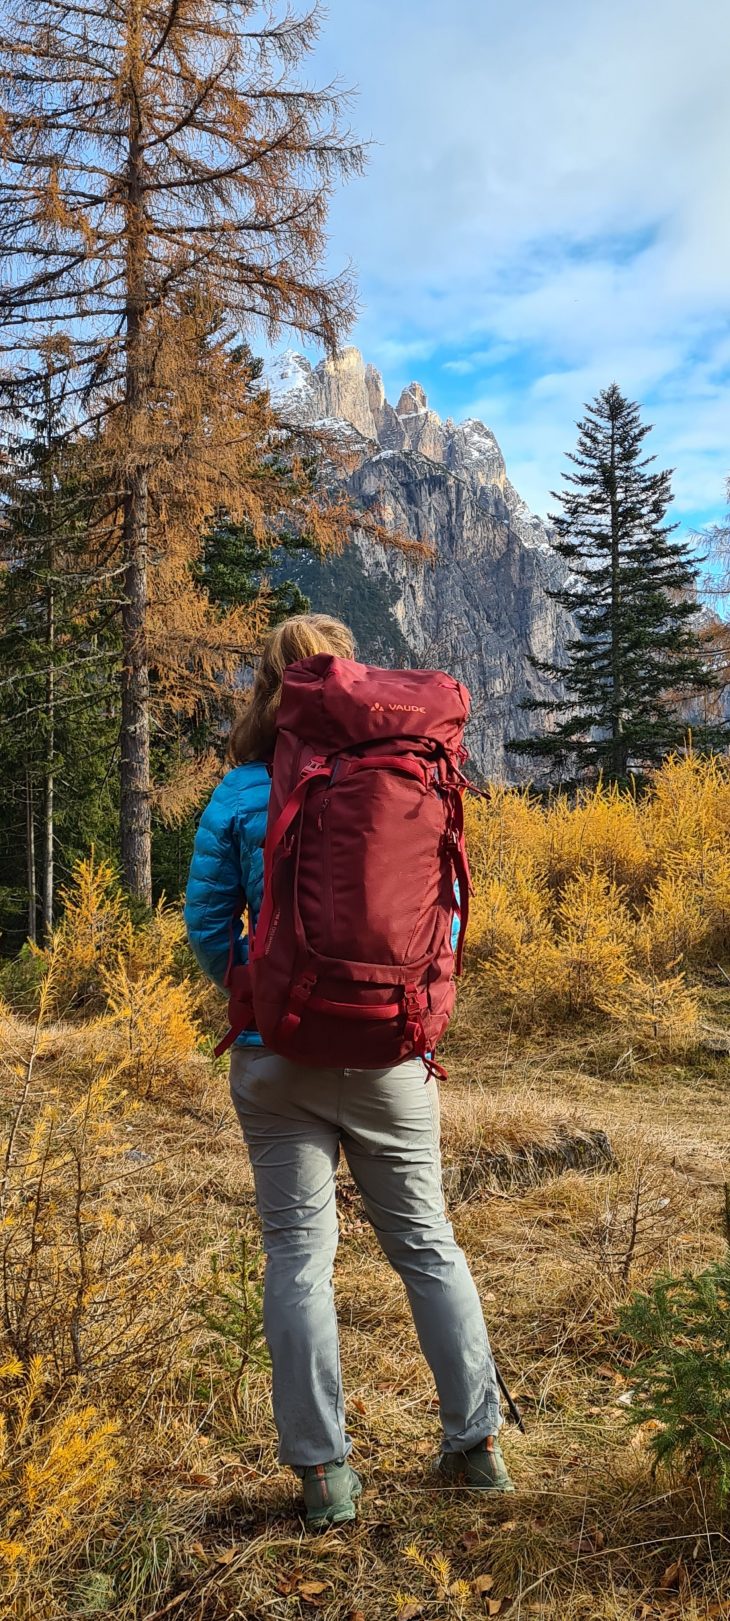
<point x="340" y="704"/>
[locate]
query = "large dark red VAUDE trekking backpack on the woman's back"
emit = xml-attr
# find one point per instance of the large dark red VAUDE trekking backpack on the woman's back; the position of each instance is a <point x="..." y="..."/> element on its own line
<point x="353" y="959"/>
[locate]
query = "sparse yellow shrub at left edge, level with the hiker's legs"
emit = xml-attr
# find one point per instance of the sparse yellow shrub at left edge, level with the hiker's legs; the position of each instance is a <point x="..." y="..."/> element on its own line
<point x="90" y="1273"/>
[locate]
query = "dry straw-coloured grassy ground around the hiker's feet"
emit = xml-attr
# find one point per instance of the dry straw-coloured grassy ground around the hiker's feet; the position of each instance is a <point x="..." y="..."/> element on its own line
<point x="205" y="1526"/>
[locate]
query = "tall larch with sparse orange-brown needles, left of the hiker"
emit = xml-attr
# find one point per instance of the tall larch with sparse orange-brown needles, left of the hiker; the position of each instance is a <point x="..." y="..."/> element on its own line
<point x="163" y="173"/>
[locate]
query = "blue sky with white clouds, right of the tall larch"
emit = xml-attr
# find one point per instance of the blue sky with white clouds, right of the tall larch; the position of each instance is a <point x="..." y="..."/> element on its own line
<point x="546" y="212"/>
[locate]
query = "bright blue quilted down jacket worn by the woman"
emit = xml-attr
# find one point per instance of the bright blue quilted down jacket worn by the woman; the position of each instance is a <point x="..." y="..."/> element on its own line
<point x="226" y="873"/>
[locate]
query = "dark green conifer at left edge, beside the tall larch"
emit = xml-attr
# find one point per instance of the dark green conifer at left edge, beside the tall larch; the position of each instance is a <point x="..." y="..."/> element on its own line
<point x="58" y="654"/>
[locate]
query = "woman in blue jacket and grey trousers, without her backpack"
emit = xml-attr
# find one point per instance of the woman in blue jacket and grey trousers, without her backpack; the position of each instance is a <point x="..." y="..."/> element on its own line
<point x="296" y="1123"/>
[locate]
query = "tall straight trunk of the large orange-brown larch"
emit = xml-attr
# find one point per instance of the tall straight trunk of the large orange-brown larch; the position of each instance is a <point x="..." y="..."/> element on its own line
<point x="137" y="863"/>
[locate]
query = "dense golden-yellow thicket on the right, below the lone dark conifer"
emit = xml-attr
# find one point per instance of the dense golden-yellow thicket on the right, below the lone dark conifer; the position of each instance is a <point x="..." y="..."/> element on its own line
<point x="572" y="897"/>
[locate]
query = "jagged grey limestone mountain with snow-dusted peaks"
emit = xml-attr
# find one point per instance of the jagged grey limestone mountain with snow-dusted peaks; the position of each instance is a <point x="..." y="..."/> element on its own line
<point x="481" y="609"/>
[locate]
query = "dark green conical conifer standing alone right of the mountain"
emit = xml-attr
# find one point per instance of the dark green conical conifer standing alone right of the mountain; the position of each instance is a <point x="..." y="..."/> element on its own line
<point x="637" y="664"/>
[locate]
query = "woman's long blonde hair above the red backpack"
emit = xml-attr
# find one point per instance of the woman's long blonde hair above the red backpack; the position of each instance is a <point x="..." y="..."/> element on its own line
<point x="252" y="737"/>
